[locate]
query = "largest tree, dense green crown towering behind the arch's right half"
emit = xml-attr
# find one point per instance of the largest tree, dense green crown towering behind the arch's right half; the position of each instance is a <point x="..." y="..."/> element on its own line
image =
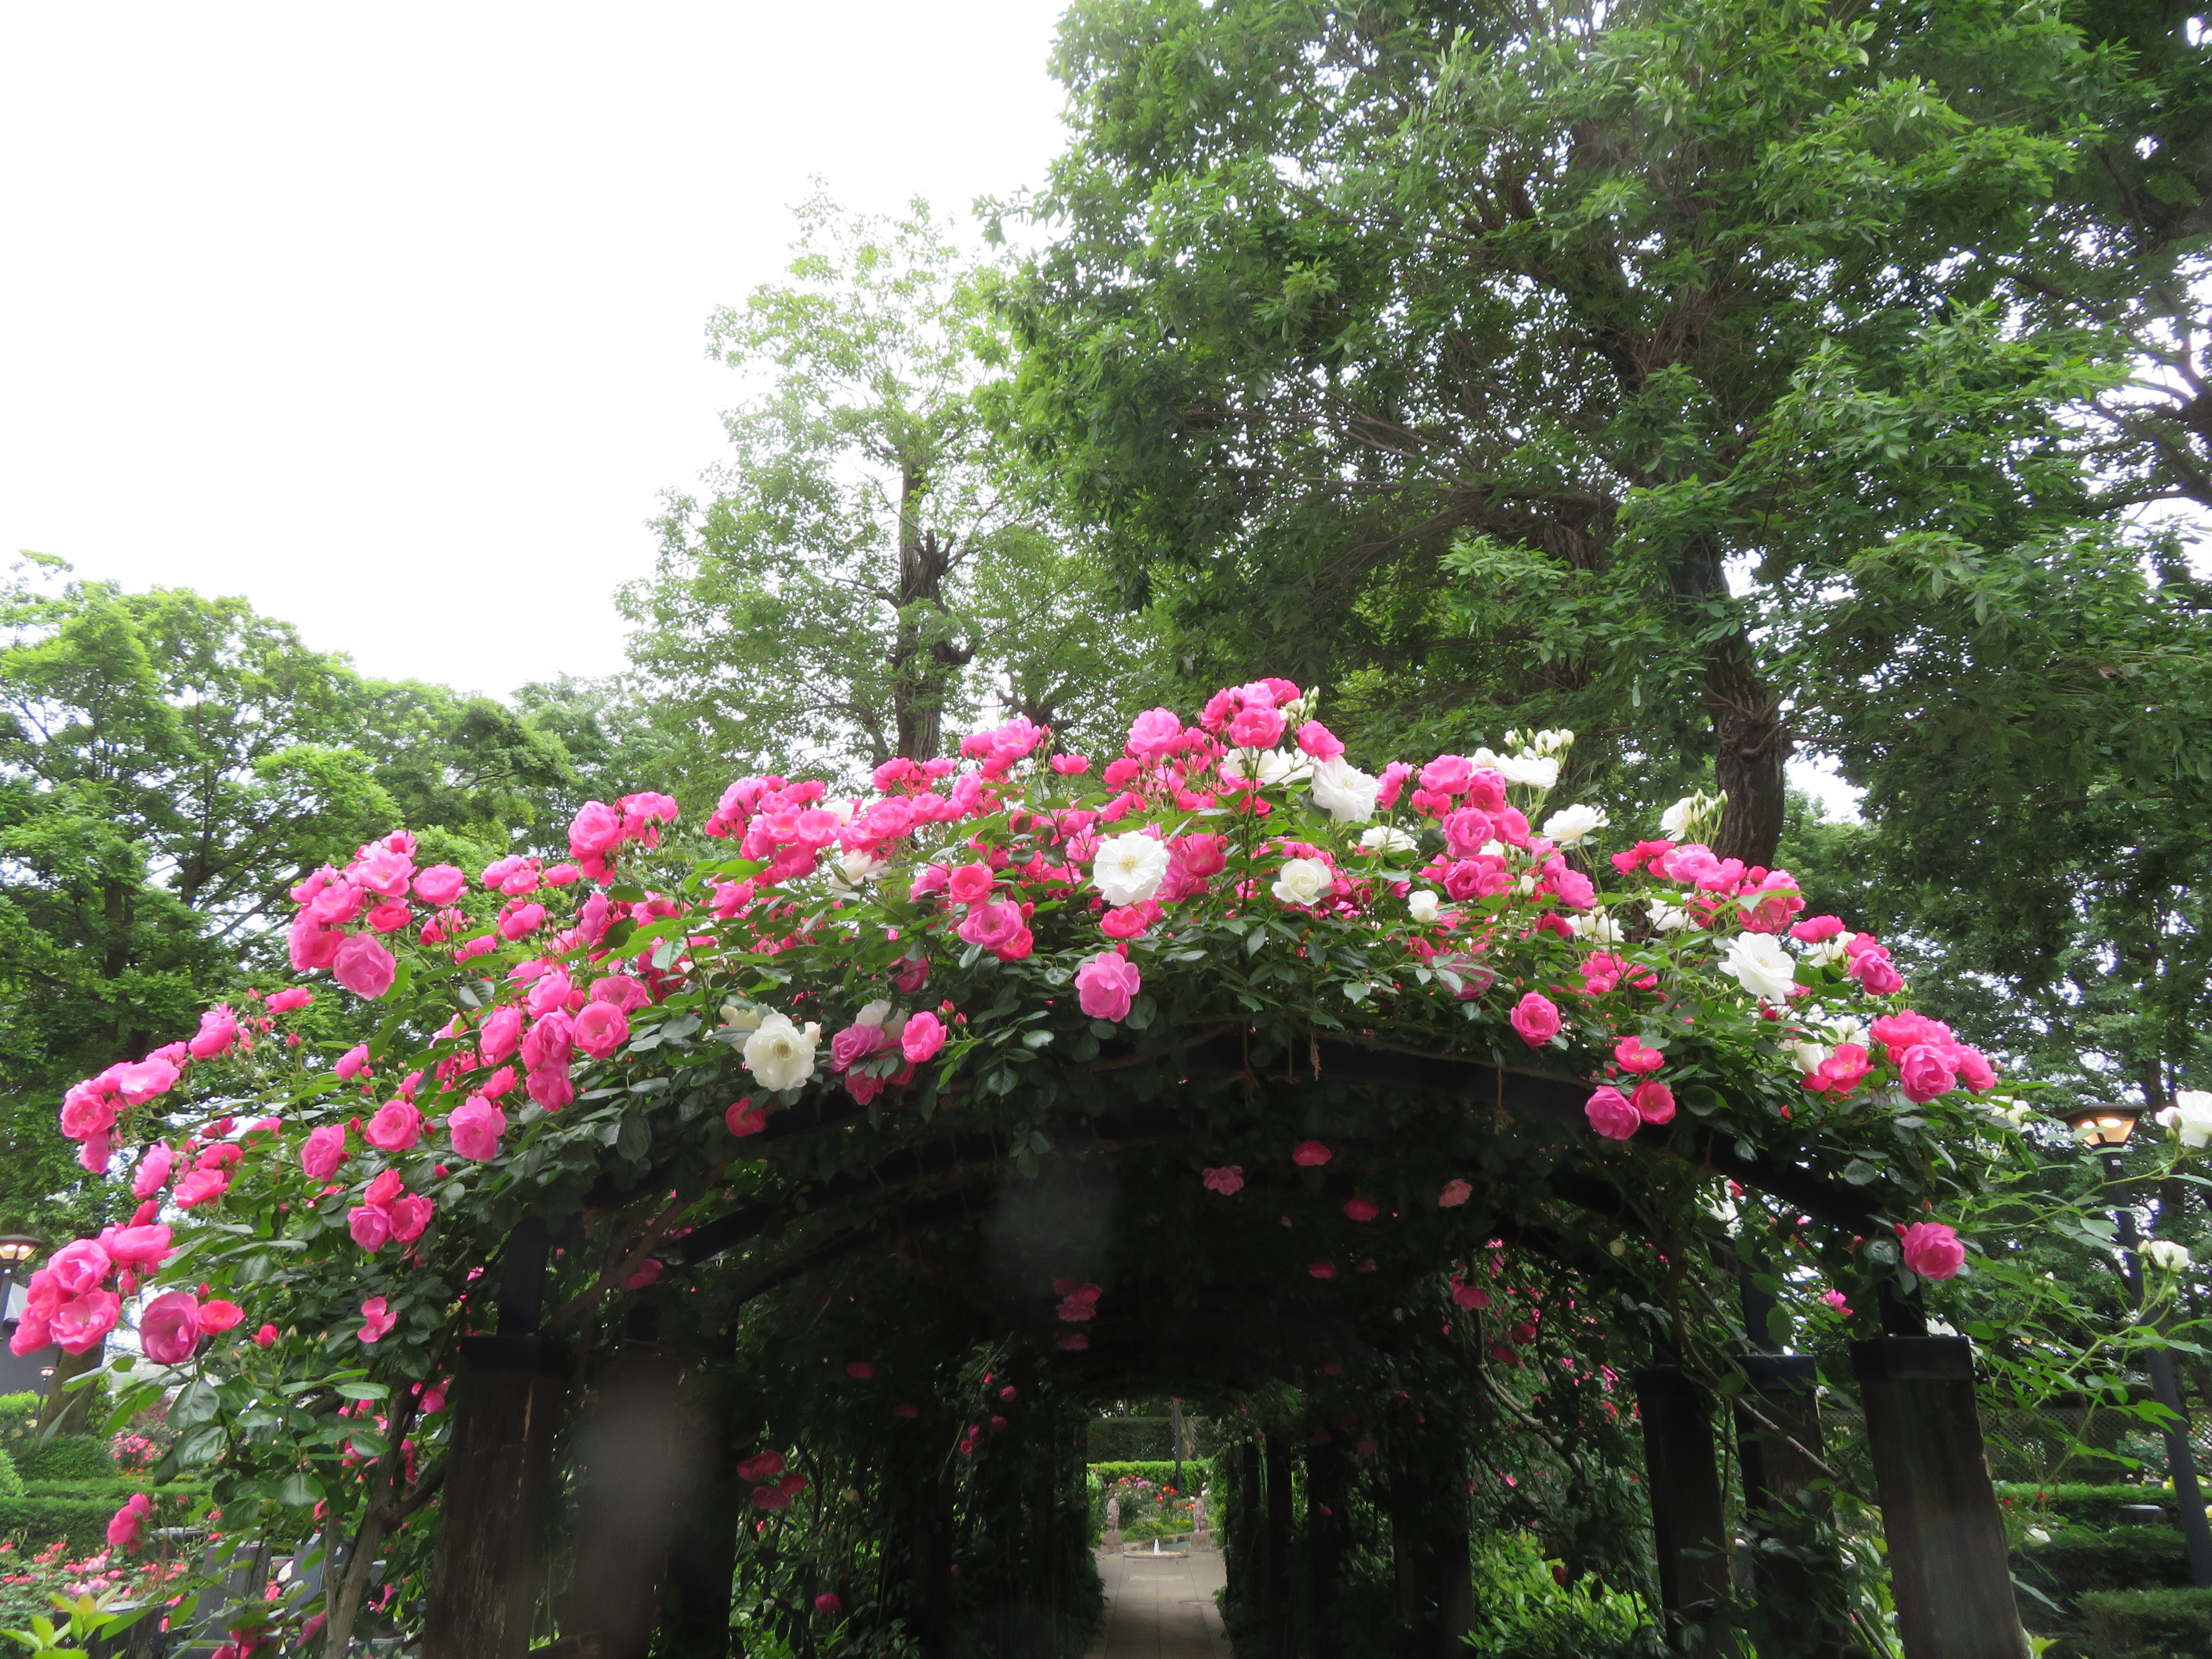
<point x="1437" y="351"/>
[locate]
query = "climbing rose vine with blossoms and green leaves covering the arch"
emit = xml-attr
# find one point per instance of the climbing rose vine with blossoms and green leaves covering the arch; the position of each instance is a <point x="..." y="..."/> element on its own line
<point x="997" y="937"/>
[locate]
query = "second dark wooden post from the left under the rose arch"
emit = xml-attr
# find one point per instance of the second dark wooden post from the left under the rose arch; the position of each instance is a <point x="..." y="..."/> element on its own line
<point x="627" y="1483"/>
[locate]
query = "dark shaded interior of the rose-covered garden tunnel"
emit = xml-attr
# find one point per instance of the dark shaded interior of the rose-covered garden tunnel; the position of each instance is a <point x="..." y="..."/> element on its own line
<point x="935" y="1271"/>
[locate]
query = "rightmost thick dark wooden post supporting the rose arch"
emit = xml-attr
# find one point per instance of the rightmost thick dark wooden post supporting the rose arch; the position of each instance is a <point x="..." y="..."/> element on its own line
<point x="1941" y="1516"/>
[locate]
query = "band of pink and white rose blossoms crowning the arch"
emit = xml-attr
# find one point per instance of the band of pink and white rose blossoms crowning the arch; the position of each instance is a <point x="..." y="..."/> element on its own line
<point x="1457" y="873"/>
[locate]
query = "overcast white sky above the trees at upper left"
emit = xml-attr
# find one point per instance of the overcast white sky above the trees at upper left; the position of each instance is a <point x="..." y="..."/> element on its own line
<point x="388" y="315"/>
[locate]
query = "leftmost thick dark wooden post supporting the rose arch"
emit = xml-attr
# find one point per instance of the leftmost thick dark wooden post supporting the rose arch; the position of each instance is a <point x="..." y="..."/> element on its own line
<point x="497" y="1499"/>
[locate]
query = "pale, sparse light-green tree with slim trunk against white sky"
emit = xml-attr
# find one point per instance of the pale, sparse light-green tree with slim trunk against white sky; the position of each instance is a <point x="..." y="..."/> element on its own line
<point x="868" y="563"/>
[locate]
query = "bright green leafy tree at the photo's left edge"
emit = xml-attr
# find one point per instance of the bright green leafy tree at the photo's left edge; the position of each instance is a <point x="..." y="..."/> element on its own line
<point x="169" y="766"/>
